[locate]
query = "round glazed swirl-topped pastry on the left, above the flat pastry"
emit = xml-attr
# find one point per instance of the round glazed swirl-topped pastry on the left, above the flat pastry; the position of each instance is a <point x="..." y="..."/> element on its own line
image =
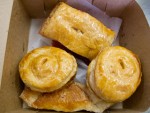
<point x="47" y="69"/>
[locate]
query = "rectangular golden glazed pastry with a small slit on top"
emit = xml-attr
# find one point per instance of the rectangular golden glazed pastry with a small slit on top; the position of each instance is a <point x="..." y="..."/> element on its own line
<point x="77" y="30"/>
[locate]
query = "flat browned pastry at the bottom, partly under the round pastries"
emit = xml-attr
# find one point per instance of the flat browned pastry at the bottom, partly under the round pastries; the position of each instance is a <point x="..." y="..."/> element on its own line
<point x="68" y="99"/>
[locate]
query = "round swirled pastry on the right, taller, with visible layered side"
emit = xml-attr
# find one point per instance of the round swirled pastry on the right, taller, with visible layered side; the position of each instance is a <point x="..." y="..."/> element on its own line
<point x="114" y="74"/>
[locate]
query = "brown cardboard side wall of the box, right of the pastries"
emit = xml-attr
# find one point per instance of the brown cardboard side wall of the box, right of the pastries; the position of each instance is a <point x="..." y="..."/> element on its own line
<point x="135" y="35"/>
